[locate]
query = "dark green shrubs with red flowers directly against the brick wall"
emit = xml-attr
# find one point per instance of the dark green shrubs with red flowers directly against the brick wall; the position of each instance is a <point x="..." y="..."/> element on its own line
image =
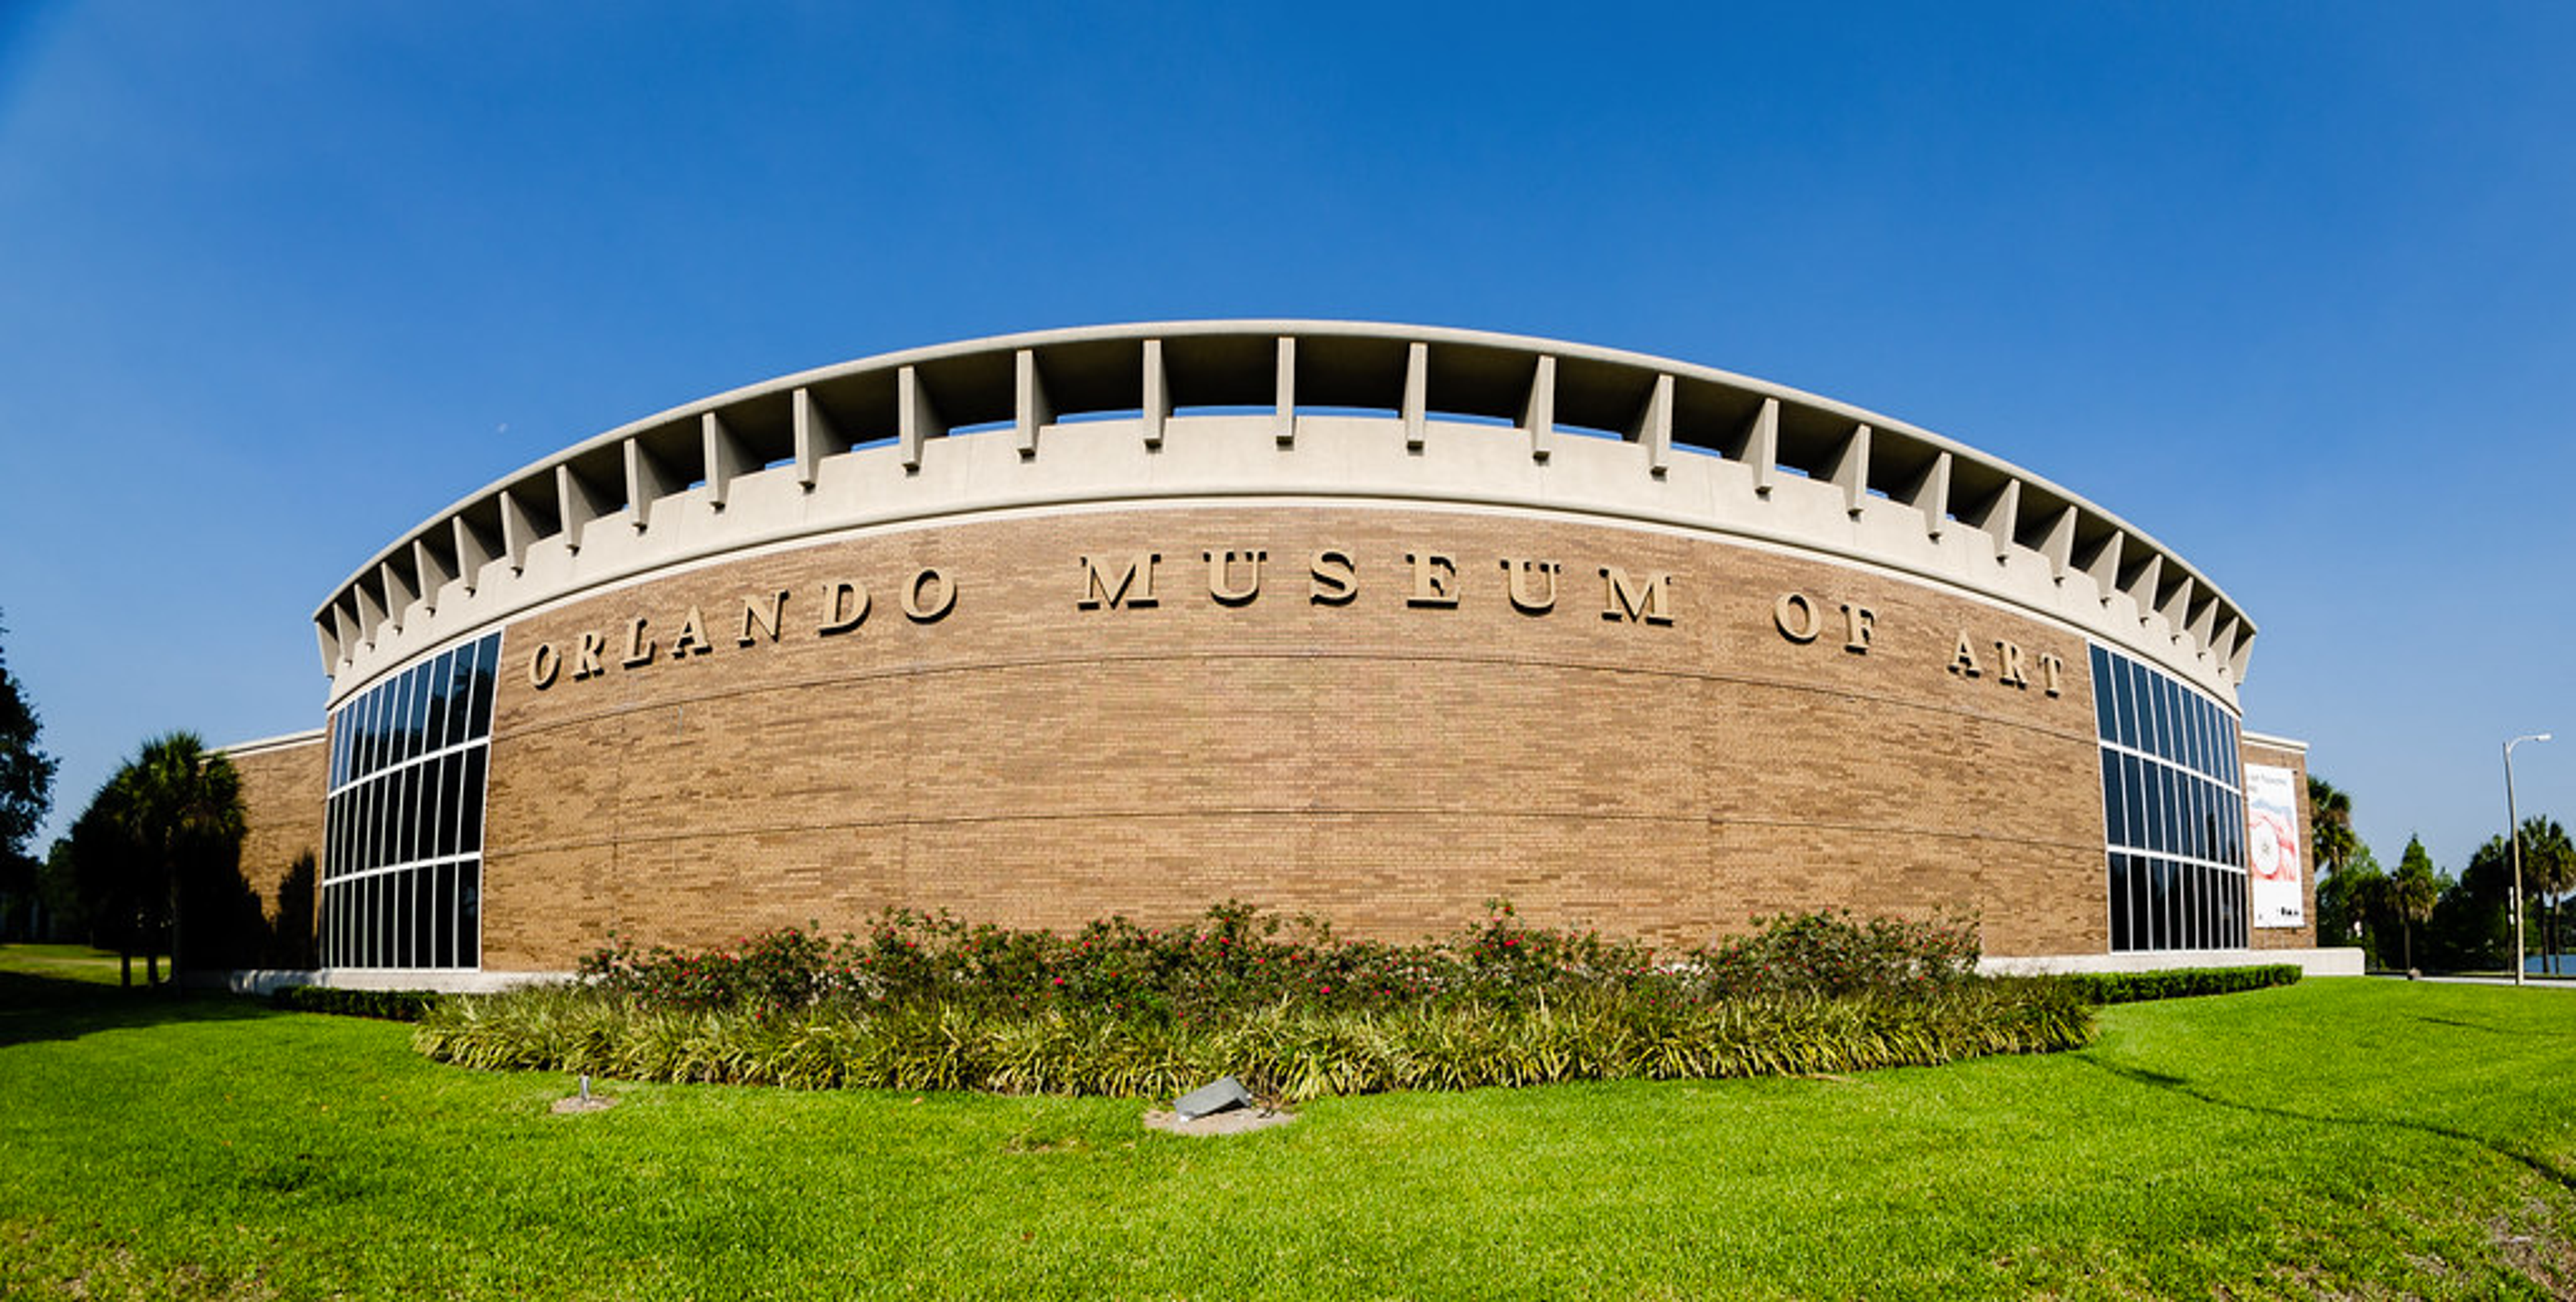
<point x="1240" y="958"/>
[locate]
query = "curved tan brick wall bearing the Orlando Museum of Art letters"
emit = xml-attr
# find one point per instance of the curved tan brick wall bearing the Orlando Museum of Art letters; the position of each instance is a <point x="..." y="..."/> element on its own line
<point x="1379" y="762"/>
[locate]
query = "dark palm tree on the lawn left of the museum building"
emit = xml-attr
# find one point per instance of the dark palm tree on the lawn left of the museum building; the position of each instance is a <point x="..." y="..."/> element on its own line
<point x="176" y="803"/>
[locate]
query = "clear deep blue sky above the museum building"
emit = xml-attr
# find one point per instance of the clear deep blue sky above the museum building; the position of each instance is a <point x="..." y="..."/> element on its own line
<point x="2294" y="287"/>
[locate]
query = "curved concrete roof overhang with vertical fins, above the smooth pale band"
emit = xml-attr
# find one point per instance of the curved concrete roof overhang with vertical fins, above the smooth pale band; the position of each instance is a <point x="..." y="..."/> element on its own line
<point x="1166" y="370"/>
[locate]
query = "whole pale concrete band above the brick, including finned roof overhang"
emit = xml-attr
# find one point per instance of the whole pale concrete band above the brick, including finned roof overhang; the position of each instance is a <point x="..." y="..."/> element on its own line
<point x="1343" y="411"/>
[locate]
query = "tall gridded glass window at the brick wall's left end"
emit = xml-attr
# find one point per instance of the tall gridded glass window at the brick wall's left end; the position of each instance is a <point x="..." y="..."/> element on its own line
<point x="403" y="821"/>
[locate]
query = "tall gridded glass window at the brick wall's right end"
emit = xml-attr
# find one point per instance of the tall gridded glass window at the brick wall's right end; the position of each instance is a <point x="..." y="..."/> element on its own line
<point x="2173" y="808"/>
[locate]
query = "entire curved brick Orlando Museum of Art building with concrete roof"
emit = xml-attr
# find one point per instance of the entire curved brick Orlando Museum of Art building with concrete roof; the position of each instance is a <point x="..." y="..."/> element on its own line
<point x="1354" y="620"/>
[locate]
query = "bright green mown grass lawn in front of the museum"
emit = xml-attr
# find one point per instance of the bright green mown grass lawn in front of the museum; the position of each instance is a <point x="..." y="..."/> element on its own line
<point x="2343" y="1138"/>
